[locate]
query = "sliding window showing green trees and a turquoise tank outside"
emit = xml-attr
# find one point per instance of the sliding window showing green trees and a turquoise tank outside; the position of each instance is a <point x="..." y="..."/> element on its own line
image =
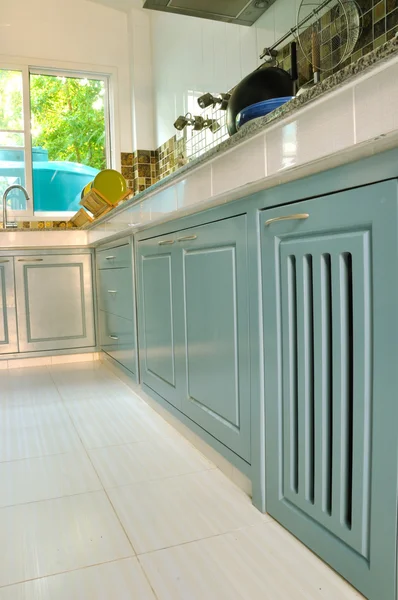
<point x="54" y="137"/>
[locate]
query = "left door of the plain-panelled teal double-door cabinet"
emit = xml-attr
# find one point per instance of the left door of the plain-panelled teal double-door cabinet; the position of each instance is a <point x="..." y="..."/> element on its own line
<point x="158" y="315"/>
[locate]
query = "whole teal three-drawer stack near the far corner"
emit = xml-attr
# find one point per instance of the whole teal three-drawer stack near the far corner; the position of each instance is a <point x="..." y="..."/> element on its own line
<point x="116" y="303"/>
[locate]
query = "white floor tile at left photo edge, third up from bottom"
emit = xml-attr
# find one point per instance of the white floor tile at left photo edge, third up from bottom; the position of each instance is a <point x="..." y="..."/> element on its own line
<point x="46" y="477"/>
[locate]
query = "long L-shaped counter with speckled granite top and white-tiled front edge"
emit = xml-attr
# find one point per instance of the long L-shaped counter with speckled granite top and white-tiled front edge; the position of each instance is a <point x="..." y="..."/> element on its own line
<point x="327" y="126"/>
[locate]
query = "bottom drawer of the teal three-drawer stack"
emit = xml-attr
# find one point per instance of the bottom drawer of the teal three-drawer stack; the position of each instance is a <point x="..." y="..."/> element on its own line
<point x="117" y="339"/>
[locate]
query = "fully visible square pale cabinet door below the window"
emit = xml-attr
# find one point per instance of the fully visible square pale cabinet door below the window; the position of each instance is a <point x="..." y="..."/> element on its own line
<point x="54" y="302"/>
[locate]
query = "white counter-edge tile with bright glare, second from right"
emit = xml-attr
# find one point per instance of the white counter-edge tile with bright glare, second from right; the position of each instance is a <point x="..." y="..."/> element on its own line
<point x="324" y="128"/>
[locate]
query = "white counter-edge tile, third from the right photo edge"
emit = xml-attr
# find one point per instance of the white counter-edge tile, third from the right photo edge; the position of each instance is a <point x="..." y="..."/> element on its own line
<point x="240" y="166"/>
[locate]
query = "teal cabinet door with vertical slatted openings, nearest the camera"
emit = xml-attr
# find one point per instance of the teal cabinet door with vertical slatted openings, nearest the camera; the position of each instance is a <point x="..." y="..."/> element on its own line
<point x="330" y="331"/>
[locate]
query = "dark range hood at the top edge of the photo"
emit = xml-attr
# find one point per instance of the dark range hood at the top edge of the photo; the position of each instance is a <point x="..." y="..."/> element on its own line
<point x="240" y="12"/>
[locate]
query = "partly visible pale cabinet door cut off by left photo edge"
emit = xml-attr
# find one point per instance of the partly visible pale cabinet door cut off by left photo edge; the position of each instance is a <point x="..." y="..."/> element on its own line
<point x="8" y="327"/>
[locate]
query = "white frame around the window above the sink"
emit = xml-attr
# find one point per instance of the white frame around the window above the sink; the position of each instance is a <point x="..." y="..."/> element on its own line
<point x="112" y="133"/>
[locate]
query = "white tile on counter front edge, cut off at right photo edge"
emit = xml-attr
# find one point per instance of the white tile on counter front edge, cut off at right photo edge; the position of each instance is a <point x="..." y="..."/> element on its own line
<point x="376" y="104"/>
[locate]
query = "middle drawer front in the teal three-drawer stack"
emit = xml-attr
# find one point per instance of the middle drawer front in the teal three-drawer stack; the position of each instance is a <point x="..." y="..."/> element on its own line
<point x="116" y="292"/>
